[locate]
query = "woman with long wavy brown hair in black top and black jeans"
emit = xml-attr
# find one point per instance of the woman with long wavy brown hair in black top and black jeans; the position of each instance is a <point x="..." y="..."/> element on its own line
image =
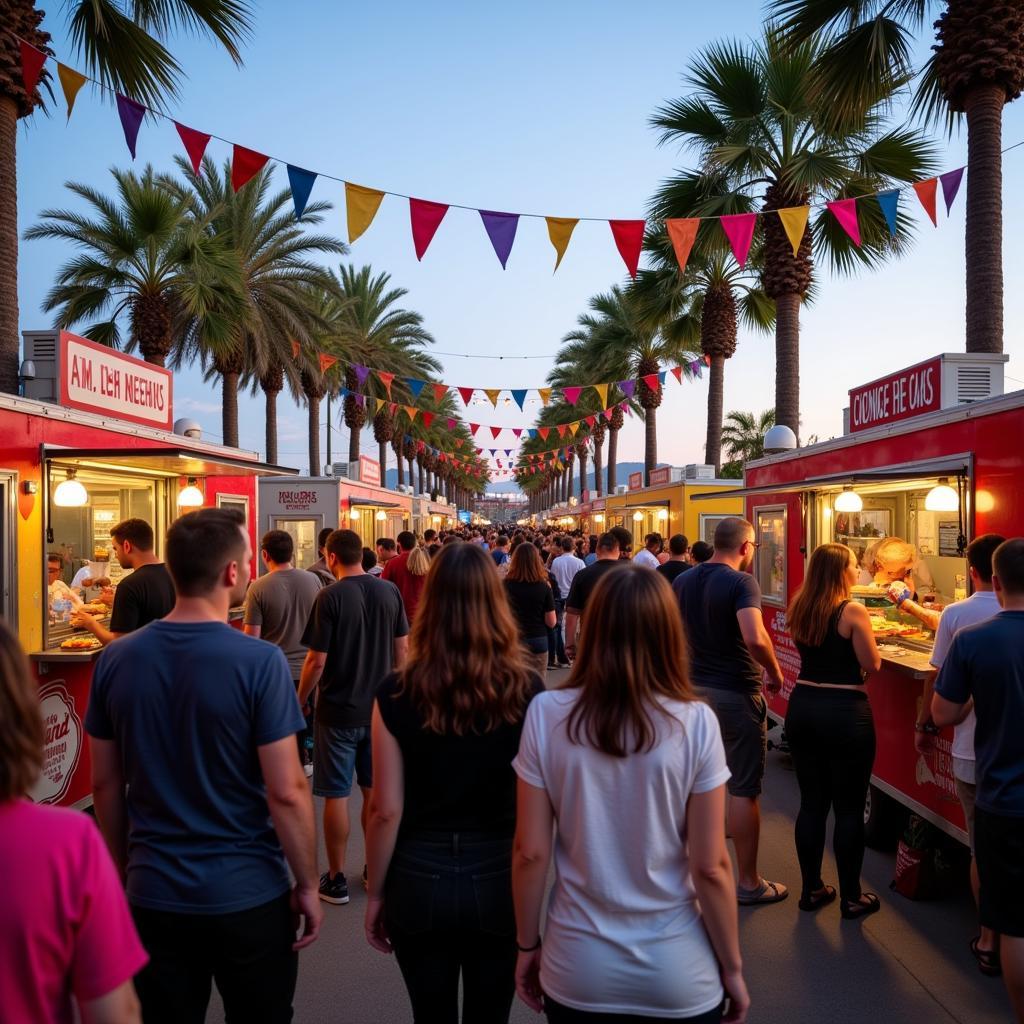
<point x="445" y="732"/>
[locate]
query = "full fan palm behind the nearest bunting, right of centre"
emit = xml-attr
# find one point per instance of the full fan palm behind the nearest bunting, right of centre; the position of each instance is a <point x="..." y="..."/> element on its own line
<point x="766" y="139"/>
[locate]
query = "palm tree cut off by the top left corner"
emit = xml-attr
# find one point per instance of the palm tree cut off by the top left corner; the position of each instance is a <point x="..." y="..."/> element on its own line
<point x="121" y="49"/>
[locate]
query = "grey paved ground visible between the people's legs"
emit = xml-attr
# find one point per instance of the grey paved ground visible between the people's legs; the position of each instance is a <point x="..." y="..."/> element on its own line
<point x="908" y="964"/>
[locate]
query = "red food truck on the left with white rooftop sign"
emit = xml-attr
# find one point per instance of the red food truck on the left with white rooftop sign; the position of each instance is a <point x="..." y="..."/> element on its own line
<point x="90" y="445"/>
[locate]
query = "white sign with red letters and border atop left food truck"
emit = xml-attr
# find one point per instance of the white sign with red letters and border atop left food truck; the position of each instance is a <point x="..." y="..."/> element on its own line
<point x="99" y="379"/>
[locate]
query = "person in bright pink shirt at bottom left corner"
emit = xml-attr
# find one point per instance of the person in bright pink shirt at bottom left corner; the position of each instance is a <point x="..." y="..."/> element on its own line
<point x="66" y="932"/>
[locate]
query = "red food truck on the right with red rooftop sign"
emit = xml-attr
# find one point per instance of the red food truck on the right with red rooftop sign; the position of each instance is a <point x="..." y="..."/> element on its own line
<point x="931" y="457"/>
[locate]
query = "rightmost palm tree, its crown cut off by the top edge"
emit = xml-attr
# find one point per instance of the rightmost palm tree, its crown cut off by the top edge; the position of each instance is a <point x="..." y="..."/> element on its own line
<point x="976" y="69"/>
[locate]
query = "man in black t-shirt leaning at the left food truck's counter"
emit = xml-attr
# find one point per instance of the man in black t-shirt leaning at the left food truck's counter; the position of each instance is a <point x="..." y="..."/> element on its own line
<point x="144" y="596"/>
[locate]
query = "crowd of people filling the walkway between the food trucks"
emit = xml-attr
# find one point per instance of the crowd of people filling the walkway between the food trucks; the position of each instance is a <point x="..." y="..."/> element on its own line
<point x="417" y="670"/>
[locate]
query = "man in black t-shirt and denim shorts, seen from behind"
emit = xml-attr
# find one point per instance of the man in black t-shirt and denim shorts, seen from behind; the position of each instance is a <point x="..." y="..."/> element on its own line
<point x="357" y="634"/>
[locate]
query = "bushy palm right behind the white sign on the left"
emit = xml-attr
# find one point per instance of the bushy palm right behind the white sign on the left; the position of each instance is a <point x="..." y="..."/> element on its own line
<point x="147" y="255"/>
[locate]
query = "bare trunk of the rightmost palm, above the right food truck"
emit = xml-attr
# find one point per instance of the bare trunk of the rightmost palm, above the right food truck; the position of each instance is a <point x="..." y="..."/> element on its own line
<point x="984" y="242"/>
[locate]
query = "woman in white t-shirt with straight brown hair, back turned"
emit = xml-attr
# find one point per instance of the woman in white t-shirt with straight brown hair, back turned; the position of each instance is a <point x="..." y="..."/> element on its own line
<point x="631" y="770"/>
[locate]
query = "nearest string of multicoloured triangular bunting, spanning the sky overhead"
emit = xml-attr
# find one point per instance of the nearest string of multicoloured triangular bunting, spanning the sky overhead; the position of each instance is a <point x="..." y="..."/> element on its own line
<point x="363" y="203"/>
